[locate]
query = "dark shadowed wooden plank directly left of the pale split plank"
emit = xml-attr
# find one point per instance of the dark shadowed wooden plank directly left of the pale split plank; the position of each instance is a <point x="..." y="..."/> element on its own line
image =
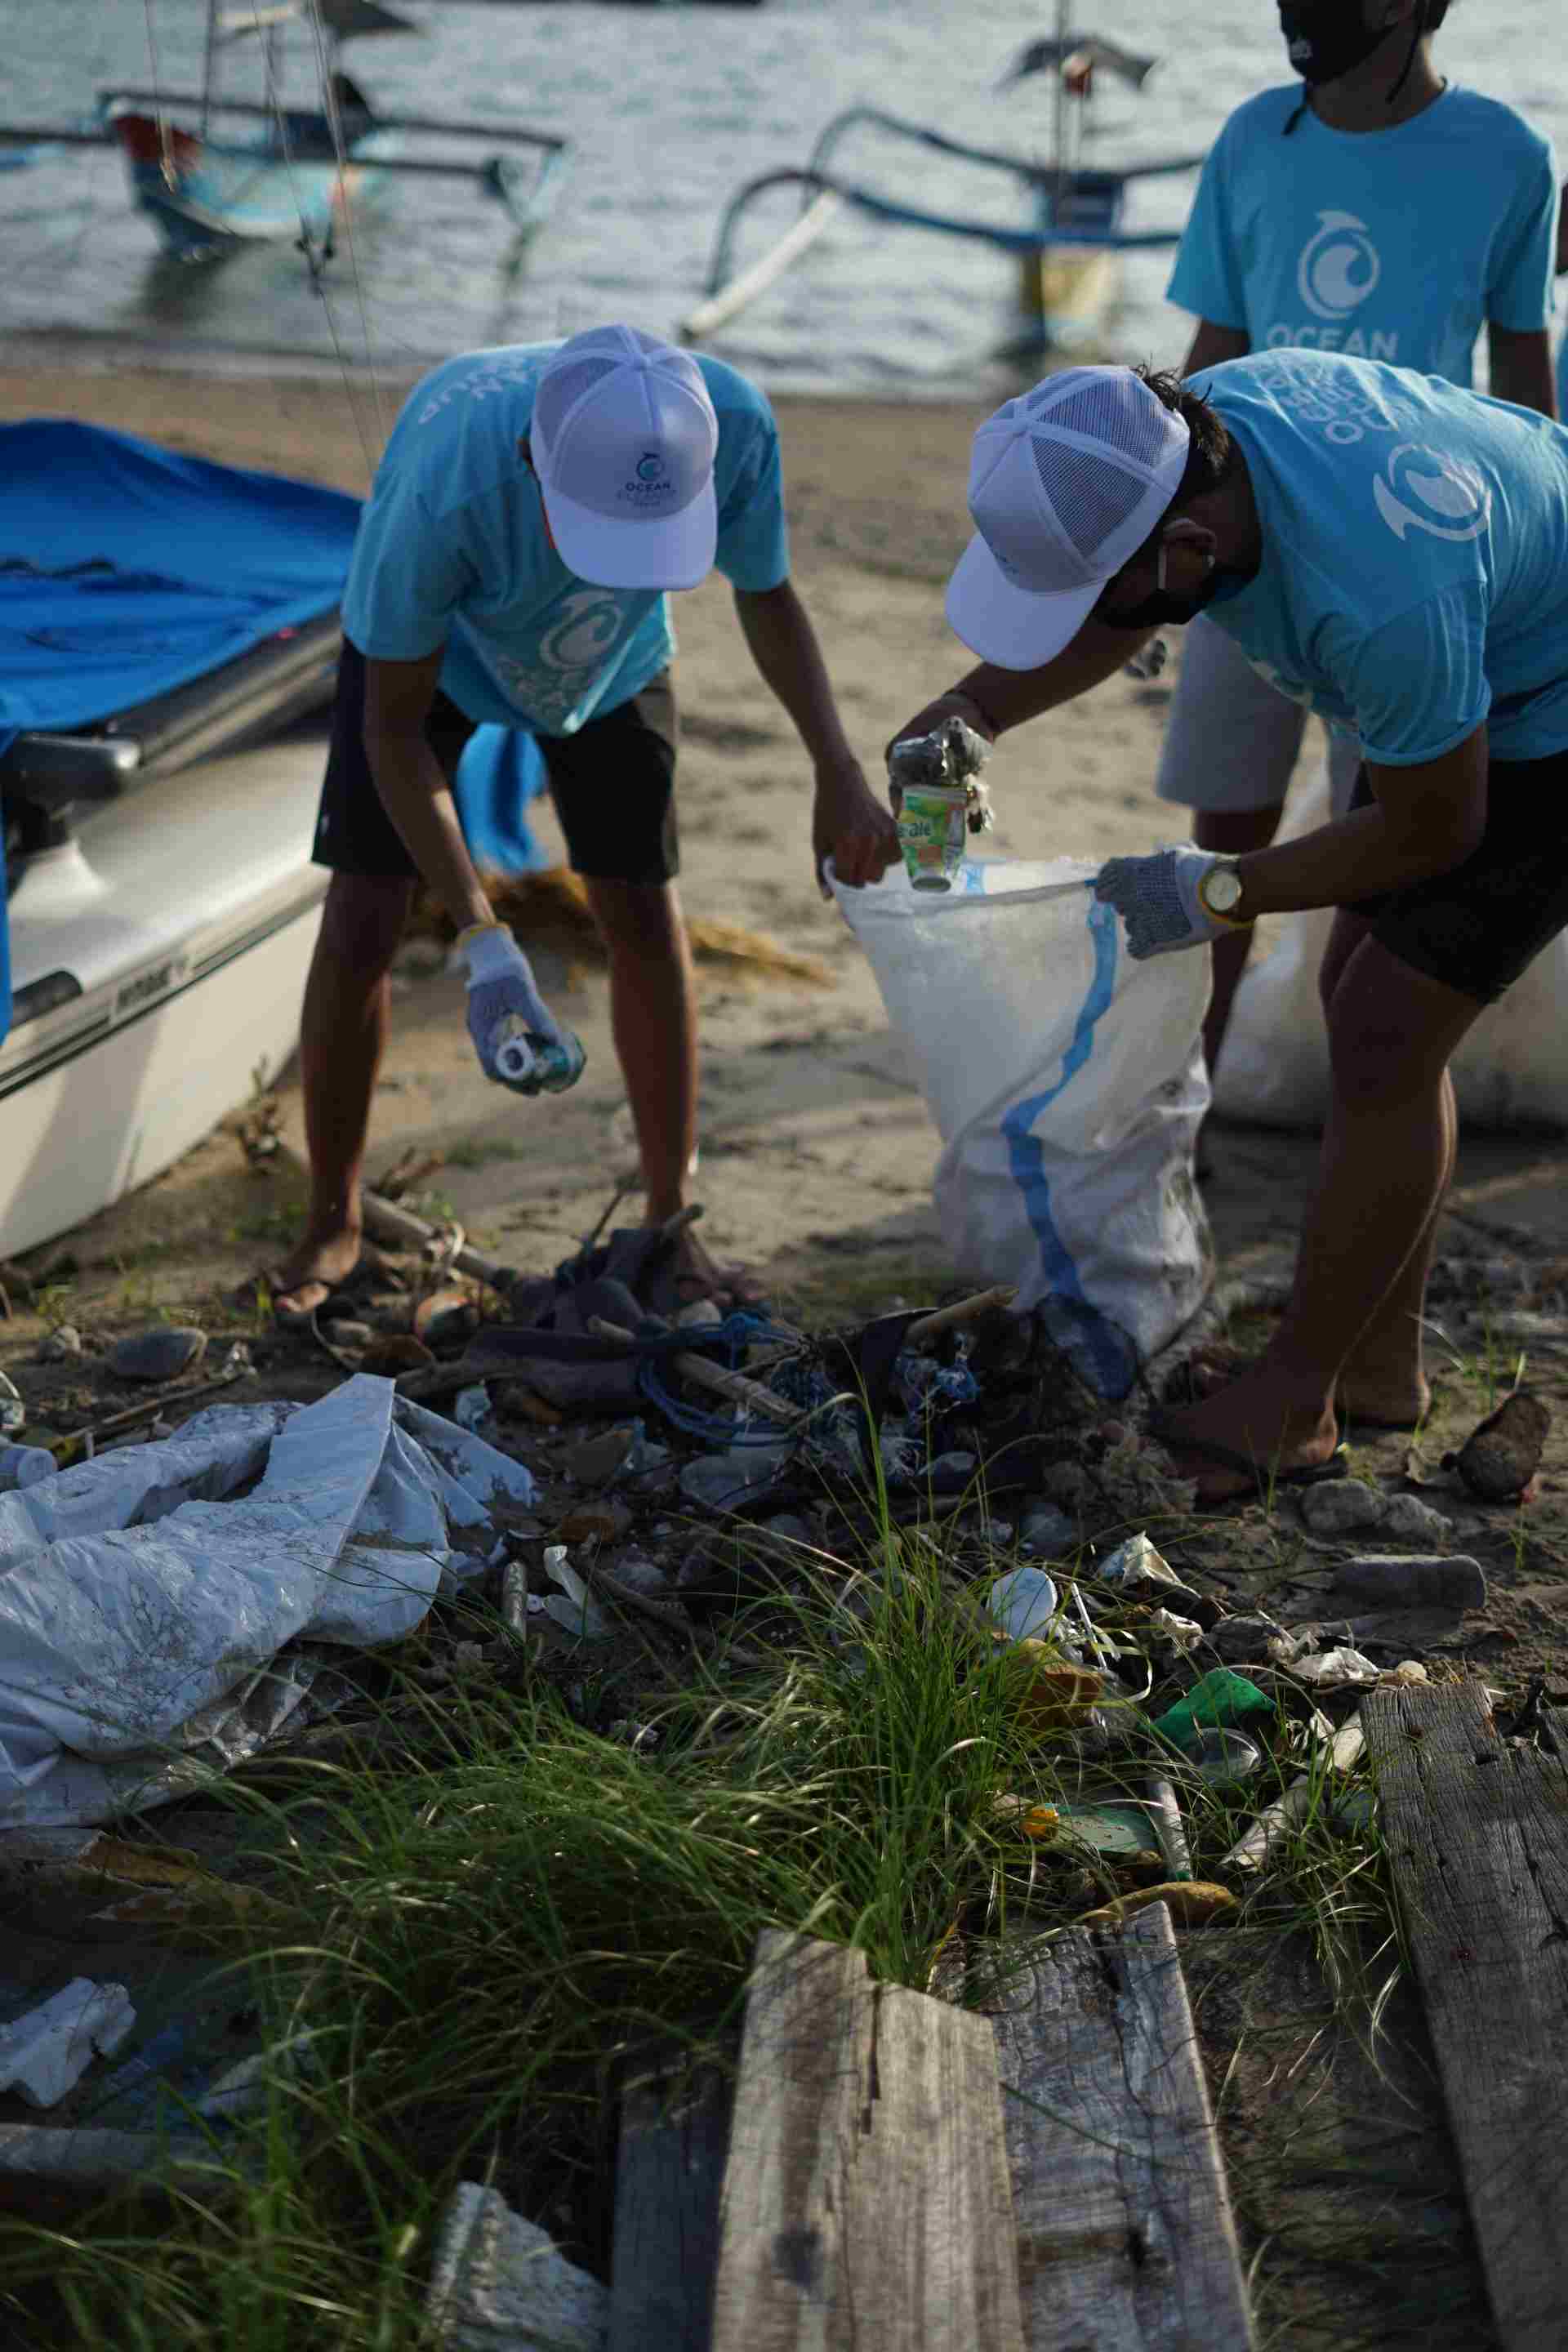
<point x="669" y="2184"/>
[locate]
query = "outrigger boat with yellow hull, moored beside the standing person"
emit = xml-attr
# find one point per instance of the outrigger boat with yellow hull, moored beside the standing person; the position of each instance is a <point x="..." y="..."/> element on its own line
<point x="1066" y="246"/>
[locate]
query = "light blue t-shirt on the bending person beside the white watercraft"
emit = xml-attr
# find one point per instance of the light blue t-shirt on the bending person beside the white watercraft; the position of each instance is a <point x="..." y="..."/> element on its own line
<point x="453" y="549"/>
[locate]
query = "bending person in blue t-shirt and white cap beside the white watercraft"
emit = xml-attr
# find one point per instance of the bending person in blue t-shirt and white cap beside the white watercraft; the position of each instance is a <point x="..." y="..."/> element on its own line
<point x="528" y="519"/>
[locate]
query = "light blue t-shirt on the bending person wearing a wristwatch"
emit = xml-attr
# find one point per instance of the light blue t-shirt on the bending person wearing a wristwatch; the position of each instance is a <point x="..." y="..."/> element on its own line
<point x="1414" y="554"/>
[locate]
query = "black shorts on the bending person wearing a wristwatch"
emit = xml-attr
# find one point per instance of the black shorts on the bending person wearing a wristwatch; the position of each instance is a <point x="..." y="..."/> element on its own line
<point x="1485" y="921"/>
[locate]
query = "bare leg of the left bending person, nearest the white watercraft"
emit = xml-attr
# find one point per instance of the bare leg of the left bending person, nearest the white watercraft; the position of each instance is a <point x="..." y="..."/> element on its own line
<point x="342" y="1041"/>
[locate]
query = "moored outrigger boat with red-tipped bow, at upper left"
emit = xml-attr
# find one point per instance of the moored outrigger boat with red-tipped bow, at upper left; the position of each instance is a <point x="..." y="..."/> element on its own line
<point x="295" y="178"/>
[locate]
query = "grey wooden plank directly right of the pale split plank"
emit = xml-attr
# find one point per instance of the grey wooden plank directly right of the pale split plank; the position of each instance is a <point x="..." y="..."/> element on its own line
<point x="1125" y="2229"/>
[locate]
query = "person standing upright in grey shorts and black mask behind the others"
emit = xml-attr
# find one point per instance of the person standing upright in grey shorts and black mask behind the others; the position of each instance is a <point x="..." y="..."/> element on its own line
<point x="1381" y="213"/>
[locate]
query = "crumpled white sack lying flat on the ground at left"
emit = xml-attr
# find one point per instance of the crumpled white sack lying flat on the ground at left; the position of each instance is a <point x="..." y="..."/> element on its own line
<point x="145" y="1598"/>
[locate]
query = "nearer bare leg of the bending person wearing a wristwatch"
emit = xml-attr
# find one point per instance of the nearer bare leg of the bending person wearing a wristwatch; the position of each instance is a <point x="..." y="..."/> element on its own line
<point x="1383" y="1172"/>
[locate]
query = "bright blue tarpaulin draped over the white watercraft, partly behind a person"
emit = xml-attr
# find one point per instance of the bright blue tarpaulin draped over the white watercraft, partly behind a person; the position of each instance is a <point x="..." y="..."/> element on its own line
<point x="128" y="570"/>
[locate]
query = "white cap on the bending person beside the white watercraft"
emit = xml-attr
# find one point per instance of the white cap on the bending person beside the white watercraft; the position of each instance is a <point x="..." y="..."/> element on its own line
<point x="624" y="439"/>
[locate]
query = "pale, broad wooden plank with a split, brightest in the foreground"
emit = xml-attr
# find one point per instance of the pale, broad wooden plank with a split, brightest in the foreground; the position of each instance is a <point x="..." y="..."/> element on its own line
<point x="866" y="2200"/>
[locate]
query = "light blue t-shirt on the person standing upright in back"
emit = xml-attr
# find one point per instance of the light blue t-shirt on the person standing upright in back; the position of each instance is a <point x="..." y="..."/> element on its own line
<point x="1388" y="246"/>
